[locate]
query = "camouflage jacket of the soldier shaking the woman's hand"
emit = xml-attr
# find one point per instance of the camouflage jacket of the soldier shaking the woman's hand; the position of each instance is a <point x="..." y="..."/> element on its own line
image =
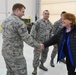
<point x="14" y="33"/>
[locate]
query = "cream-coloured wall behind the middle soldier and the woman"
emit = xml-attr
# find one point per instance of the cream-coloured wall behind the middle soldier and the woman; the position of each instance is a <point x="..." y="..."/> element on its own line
<point x="57" y="6"/>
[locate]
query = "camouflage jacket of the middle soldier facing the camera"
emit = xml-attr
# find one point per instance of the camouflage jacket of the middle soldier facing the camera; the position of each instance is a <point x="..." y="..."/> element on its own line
<point x="41" y="31"/>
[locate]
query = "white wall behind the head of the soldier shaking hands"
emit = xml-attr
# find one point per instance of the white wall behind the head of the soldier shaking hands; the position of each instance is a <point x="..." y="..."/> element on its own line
<point x="6" y="8"/>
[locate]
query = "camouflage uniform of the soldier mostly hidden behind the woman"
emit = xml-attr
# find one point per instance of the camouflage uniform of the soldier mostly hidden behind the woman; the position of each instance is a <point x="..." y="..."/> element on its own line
<point x="57" y="25"/>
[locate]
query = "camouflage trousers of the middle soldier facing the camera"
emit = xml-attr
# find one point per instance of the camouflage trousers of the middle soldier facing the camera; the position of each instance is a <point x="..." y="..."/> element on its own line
<point x="39" y="56"/>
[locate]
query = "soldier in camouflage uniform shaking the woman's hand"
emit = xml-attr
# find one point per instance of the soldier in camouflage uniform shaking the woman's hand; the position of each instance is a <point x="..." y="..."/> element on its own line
<point x="14" y="33"/>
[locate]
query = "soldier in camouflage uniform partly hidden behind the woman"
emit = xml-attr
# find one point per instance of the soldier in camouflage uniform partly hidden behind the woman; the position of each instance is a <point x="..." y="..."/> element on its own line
<point x="57" y="25"/>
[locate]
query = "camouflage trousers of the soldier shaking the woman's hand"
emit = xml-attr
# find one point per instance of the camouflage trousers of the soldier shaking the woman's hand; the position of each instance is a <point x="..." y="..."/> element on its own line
<point x="16" y="67"/>
